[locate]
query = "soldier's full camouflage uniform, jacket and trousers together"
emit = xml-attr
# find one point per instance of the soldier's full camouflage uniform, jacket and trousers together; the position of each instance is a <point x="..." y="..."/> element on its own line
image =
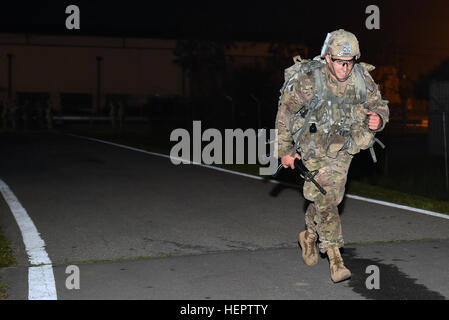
<point x="327" y="148"/>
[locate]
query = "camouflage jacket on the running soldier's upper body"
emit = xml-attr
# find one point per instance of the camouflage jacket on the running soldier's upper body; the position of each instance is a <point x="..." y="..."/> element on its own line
<point x="297" y="96"/>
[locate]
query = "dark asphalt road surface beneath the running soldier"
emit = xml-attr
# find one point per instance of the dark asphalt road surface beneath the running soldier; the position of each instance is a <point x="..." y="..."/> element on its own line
<point x="139" y="227"/>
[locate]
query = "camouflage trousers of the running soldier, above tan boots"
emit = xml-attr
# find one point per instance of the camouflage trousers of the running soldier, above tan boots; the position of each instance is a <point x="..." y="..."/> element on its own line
<point x="322" y="215"/>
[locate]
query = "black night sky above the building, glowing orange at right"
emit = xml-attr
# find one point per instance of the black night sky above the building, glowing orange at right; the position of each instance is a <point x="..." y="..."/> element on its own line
<point x="414" y="28"/>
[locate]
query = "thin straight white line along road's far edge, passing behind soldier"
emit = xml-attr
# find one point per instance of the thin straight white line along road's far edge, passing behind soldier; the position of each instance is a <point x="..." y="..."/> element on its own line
<point x="385" y="203"/>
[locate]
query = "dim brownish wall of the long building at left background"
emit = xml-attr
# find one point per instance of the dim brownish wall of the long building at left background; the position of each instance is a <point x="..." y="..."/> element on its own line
<point x="69" y="65"/>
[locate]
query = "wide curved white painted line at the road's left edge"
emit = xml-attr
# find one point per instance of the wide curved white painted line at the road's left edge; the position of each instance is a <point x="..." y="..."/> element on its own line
<point x="41" y="280"/>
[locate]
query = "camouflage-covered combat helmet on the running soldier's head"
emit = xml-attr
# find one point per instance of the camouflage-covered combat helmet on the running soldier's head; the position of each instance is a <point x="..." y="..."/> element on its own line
<point x="341" y="43"/>
